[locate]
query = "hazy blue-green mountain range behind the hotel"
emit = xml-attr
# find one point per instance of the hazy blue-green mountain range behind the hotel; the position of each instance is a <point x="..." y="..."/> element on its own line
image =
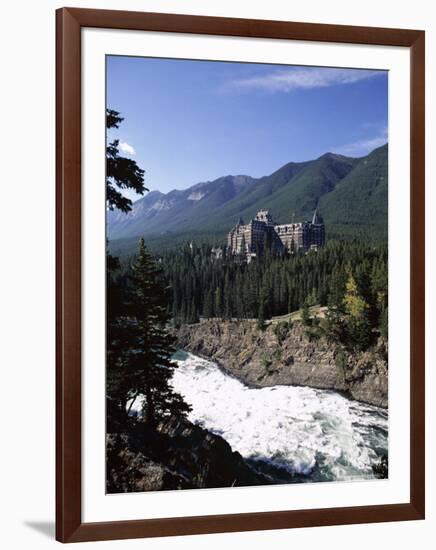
<point x="351" y="194"/>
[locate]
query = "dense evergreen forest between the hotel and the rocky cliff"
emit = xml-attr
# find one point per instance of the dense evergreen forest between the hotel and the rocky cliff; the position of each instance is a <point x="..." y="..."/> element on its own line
<point x="348" y="277"/>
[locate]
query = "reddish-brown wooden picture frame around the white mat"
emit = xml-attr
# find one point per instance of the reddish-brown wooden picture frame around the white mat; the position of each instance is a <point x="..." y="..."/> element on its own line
<point x="69" y="526"/>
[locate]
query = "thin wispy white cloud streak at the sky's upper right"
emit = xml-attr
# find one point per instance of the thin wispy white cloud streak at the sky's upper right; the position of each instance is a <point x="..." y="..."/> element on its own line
<point x="288" y="80"/>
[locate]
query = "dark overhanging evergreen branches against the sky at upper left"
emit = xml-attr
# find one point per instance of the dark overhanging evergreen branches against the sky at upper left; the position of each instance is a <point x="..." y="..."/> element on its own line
<point x="121" y="172"/>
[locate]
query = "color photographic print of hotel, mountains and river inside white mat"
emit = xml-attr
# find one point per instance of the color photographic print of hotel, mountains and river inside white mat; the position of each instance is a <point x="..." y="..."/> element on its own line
<point x="247" y="274"/>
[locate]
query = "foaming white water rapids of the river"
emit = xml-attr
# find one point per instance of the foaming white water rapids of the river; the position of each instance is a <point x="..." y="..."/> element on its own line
<point x="315" y="434"/>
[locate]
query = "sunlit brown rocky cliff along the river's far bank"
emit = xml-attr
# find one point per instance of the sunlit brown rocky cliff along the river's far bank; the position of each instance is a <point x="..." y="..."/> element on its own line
<point x="265" y="358"/>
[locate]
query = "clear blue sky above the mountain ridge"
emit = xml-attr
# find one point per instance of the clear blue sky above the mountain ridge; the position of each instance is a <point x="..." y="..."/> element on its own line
<point x="191" y="121"/>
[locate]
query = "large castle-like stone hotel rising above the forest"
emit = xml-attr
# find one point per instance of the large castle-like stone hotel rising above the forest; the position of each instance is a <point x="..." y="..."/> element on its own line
<point x="248" y="239"/>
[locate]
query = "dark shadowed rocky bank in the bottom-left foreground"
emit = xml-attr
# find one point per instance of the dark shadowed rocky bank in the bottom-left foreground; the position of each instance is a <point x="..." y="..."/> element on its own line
<point x="175" y="455"/>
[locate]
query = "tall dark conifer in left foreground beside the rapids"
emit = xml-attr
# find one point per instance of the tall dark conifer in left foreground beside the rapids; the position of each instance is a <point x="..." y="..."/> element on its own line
<point x="139" y="347"/>
